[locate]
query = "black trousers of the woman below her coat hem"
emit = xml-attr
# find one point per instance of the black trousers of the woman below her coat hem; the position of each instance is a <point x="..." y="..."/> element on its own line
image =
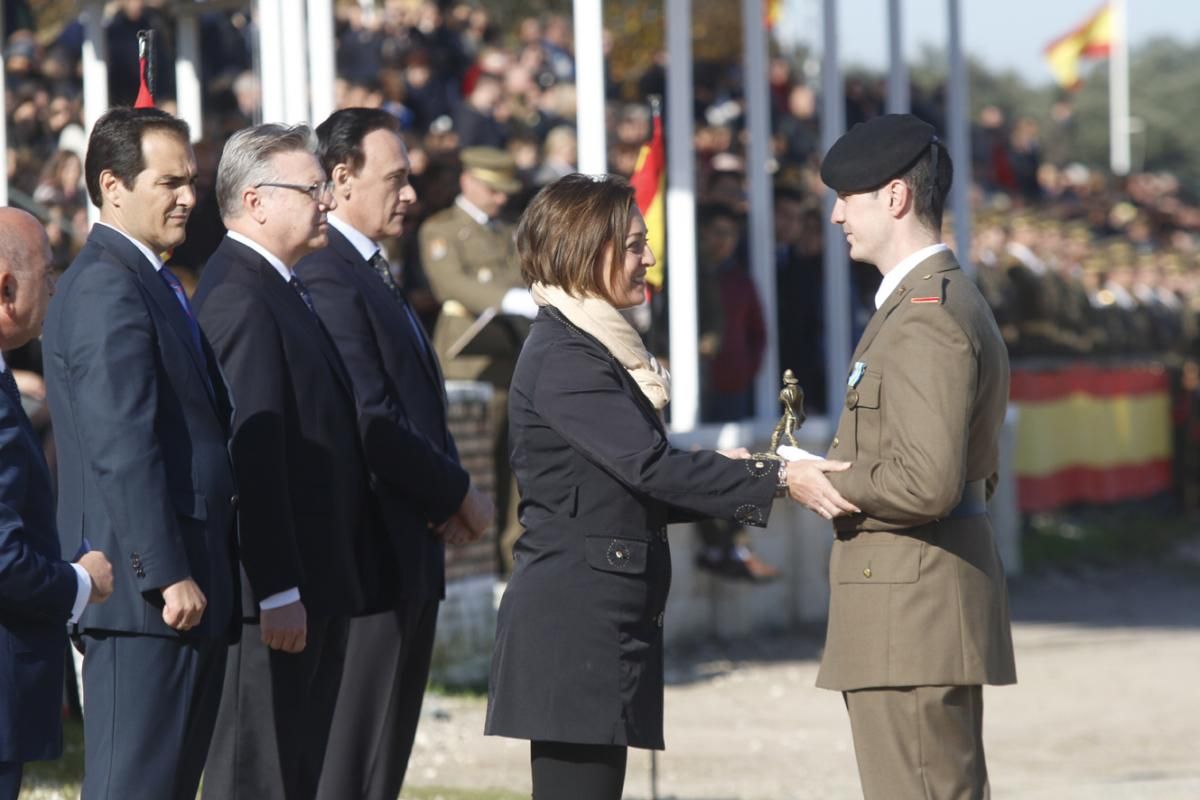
<point x="569" y="772"/>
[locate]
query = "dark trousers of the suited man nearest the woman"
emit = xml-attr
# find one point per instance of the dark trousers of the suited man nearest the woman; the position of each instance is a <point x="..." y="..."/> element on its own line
<point x="380" y="703"/>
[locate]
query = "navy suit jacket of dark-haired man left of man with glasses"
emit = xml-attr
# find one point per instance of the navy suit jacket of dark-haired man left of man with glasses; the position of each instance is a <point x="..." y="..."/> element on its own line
<point x="142" y="434"/>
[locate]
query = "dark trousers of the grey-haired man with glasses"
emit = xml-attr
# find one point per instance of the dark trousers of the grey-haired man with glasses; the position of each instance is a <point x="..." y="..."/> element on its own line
<point x="275" y="715"/>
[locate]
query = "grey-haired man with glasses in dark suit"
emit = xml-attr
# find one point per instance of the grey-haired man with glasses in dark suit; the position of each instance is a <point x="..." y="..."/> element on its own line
<point x="307" y="527"/>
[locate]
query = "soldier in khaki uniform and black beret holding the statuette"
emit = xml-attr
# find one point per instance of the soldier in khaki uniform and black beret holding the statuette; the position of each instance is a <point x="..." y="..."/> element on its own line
<point x="919" y="612"/>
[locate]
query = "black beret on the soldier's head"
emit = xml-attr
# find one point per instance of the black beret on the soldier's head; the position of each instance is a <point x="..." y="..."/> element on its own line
<point x="872" y="154"/>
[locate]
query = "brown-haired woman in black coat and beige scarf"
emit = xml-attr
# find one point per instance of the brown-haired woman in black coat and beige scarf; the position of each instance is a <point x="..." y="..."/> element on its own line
<point x="578" y="667"/>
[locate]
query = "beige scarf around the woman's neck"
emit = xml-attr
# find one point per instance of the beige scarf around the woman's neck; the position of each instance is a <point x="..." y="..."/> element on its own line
<point x="605" y="323"/>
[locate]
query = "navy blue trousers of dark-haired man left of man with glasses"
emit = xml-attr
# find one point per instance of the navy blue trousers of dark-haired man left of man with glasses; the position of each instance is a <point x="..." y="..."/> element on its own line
<point x="151" y="706"/>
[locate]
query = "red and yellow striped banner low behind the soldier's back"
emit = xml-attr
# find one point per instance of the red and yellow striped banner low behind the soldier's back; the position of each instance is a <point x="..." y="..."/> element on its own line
<point x="1091" y="435"/>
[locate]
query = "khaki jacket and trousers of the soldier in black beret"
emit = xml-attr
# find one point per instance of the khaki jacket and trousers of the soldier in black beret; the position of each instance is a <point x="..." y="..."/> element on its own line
<point x="919" y="601"/>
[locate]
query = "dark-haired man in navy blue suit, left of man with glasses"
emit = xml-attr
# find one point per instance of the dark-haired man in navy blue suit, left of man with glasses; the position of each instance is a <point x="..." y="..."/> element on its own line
<point x="142" y="428"/>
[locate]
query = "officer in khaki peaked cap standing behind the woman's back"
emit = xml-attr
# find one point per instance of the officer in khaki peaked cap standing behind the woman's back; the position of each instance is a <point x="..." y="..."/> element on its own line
<point x="471" y="260"/>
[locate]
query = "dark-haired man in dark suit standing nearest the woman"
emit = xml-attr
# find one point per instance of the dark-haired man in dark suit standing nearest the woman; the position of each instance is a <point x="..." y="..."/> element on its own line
<point x="423" y="492"/>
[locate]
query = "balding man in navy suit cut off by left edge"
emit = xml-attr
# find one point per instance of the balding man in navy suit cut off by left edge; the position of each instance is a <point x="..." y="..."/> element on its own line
<point x="39" y="592"/>
